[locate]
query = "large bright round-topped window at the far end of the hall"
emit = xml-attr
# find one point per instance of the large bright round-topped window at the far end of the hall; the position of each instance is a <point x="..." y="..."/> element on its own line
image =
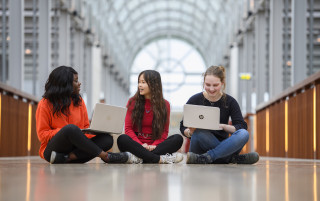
<point x="179" y="64"/>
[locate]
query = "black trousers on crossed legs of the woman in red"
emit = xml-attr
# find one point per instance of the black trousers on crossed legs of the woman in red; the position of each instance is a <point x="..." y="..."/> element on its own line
<point x="170" y="145"/>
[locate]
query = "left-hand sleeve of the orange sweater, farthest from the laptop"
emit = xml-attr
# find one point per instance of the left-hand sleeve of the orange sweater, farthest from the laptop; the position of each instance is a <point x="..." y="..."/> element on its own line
<point x="43" y="118"/>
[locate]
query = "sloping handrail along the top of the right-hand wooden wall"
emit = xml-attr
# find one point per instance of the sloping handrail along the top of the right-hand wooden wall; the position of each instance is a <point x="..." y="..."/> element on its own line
<point x="291" y="90"/>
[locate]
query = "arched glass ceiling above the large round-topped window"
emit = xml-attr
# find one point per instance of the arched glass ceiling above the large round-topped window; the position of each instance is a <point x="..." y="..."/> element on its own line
<point x="131" y="24"/>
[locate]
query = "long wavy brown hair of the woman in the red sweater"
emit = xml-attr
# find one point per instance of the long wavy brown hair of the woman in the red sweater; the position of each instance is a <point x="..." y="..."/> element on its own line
<point x="158" y="104"/>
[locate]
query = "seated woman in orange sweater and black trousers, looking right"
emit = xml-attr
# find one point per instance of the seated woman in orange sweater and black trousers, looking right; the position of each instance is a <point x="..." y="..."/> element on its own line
<point x="61" y="115"/>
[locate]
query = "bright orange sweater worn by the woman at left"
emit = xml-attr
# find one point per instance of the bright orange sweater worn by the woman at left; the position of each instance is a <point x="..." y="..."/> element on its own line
<point x="48" y="125"/>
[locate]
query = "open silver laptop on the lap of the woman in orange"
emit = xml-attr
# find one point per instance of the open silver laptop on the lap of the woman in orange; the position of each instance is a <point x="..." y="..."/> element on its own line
<point x="106" y="119"/>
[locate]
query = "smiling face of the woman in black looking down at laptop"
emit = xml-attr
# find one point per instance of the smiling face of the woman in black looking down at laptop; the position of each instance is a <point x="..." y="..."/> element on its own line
<point x="212" y="85"/>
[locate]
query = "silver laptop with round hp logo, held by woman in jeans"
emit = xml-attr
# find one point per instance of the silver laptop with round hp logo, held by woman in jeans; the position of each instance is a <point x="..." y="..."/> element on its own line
<point x="199" y="116"/>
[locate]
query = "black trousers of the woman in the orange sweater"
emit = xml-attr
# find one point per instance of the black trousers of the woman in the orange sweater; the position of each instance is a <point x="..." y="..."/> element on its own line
<point x="71" y="139"/>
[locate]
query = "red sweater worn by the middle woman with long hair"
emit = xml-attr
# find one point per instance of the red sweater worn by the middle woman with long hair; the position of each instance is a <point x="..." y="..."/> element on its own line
<point x="146" y="127"/>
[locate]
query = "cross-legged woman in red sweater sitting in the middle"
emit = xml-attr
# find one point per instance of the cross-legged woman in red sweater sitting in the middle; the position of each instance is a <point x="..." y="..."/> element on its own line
<point x="147" y="124"/>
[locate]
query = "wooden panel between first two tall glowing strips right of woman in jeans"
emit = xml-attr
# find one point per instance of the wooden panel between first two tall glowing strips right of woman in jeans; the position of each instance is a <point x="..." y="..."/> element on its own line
<point x="277" y="130"/>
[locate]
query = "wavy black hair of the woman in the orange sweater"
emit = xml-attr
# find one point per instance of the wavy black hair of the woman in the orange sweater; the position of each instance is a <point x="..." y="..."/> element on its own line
<point x="59" y="90"/>
